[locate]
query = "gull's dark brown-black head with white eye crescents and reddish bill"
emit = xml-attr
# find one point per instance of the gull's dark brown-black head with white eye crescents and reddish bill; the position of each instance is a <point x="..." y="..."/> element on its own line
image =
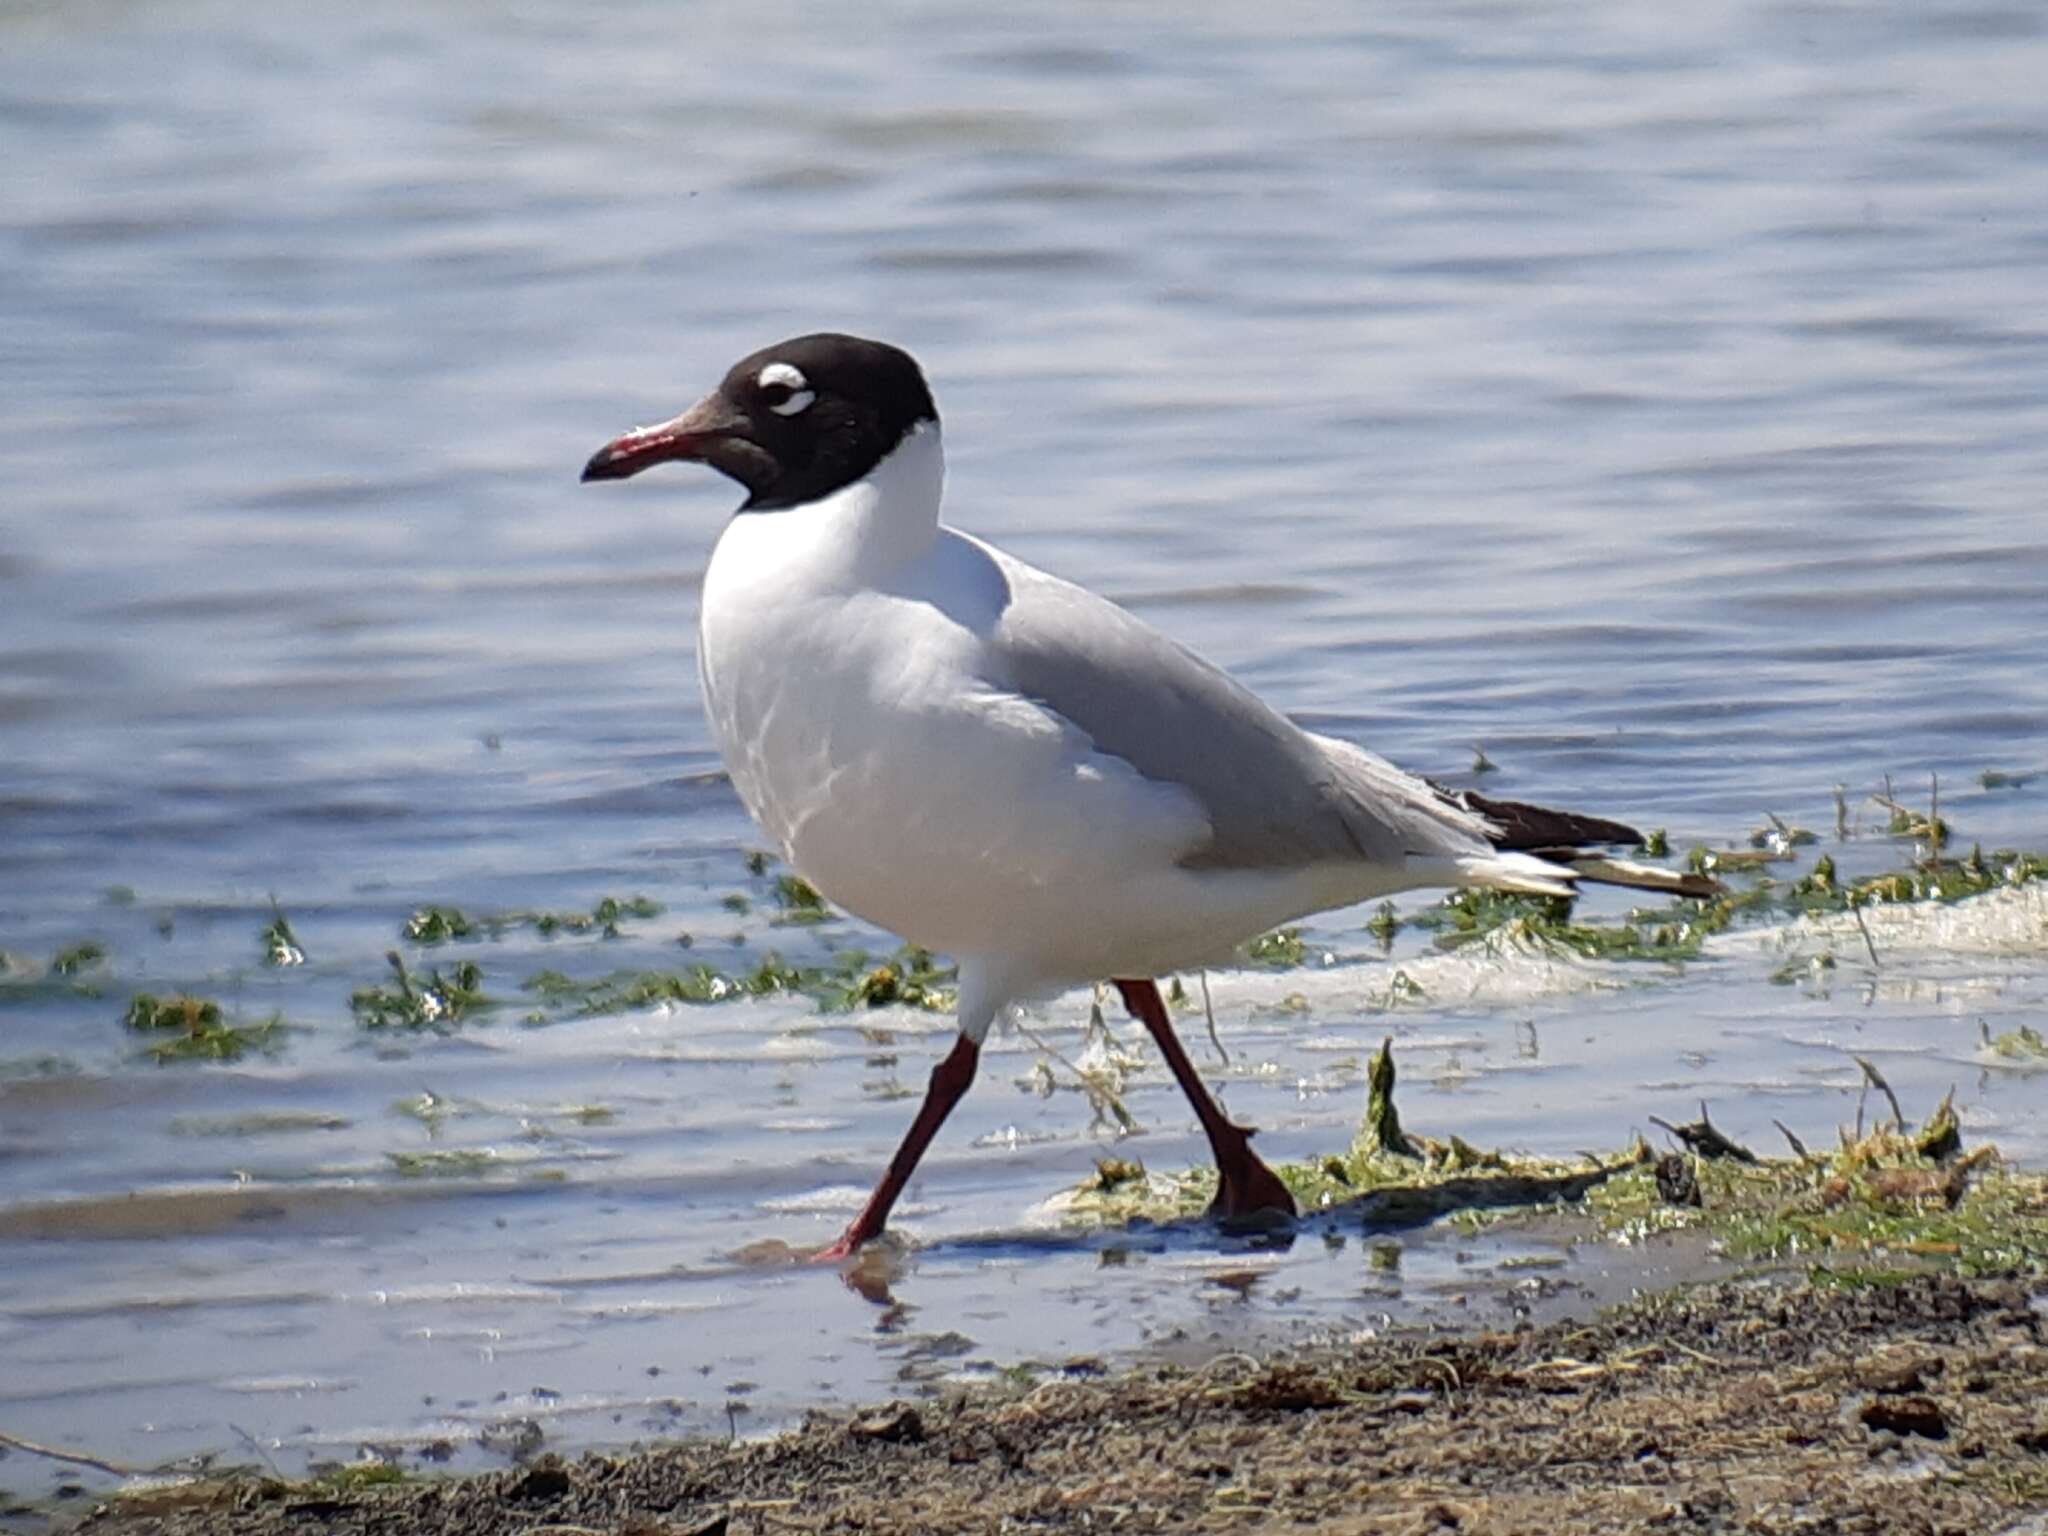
<point x="792" y="423"/>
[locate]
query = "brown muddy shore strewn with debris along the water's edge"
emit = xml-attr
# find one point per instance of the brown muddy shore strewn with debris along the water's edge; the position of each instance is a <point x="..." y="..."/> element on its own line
<point x="1746" y="1406"/>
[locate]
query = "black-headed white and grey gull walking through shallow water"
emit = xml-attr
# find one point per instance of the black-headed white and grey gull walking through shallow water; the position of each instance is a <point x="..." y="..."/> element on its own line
<point x="1013" y="771"/>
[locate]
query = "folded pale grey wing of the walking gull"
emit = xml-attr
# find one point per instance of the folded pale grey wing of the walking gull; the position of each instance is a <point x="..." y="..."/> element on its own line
<point x="1275" y="796"/>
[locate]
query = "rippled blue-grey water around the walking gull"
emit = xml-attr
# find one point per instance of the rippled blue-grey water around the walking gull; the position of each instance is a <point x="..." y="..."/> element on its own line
<point x="1652" y="398"/>
